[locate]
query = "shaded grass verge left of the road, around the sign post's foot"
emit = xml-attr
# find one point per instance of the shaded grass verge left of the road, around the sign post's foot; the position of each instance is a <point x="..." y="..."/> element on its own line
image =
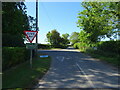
<point x="22" y="76"/>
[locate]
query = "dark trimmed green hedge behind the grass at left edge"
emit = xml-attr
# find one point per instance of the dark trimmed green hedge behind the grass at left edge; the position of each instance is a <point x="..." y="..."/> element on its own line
<point x="11" y="56"/>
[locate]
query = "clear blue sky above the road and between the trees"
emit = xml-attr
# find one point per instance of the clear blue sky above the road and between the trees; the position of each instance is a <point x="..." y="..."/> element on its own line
<point x="61" y="16"/>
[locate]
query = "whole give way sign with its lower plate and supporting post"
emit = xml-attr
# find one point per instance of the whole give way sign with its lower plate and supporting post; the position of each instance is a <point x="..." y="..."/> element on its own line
<point x="30" y="36"/>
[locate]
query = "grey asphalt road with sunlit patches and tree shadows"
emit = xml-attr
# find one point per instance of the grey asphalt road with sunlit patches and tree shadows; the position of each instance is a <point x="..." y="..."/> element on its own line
<point x="73" y="69"/>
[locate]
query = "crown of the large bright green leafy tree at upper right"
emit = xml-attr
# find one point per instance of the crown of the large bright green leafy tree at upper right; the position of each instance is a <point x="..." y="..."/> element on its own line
<point x="97" y="20"/>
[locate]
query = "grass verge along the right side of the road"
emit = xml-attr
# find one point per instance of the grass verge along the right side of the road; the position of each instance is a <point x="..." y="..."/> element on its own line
<point x="111" y="58"/>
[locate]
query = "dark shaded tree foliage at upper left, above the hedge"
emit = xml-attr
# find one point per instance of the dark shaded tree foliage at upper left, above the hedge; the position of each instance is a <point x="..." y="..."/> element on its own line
<point x="15" y="20"/>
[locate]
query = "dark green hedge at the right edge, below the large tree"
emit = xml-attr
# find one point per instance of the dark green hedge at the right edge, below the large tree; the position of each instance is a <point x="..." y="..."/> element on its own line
<point x="109" y="46"/>
